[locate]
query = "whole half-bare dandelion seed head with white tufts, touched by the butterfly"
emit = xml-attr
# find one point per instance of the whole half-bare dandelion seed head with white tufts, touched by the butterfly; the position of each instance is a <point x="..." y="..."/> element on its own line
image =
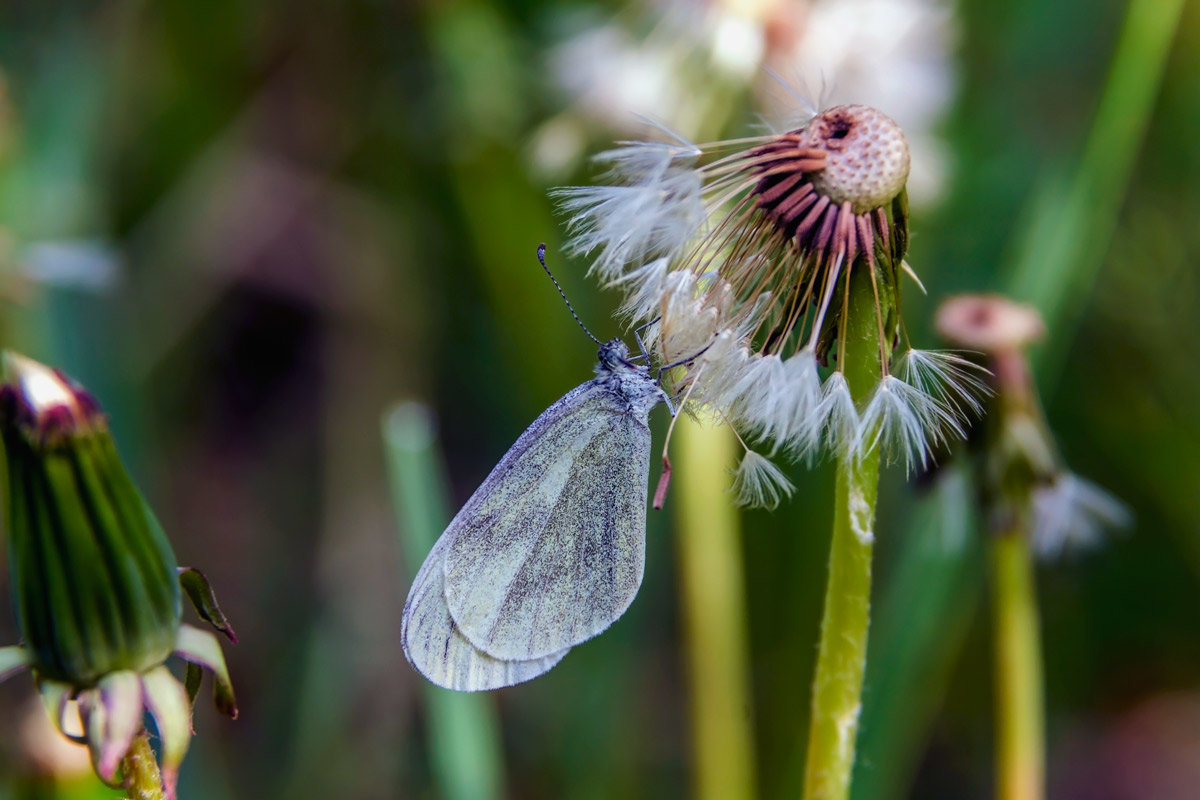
<point x="743" y="254"/>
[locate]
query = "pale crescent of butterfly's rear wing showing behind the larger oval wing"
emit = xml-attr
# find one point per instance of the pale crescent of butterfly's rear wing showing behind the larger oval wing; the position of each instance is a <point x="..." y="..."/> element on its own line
<point x="435" y="647"/>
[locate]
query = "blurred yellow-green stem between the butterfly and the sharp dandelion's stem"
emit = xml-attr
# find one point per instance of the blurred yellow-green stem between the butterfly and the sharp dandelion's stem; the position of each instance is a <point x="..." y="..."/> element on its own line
<point x="710" y="552"/>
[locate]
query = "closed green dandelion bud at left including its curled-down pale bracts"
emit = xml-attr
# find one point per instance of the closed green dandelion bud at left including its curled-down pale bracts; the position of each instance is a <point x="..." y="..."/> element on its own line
<point x="97" y="586"/>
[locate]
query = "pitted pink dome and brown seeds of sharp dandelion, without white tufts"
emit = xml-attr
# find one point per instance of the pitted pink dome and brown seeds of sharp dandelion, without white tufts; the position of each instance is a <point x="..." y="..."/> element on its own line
<point x="789" y="215"/>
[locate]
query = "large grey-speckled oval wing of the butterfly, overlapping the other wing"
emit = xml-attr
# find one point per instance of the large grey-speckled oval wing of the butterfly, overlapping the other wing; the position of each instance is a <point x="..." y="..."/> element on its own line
<point x="550" y="551"/>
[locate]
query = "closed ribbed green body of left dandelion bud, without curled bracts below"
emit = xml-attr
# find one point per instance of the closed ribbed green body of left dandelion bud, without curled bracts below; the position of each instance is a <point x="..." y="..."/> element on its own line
<point x="94" y="576"/>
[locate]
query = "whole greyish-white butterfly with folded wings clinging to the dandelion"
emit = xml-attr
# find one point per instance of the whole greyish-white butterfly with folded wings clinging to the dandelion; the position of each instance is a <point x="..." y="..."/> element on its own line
<point x="550" y="550"/>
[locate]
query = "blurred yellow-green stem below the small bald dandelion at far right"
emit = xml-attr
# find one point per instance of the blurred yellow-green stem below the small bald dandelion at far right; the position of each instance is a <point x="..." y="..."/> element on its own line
<point x="1021" y="729"/>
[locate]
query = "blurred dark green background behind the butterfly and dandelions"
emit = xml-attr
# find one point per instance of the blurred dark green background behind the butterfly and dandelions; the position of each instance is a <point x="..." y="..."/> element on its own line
<point x="253" y="228"/>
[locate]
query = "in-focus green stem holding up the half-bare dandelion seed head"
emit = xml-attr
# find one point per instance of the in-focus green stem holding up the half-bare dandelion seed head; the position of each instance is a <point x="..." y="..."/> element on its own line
<point x="842" y="658"/>
